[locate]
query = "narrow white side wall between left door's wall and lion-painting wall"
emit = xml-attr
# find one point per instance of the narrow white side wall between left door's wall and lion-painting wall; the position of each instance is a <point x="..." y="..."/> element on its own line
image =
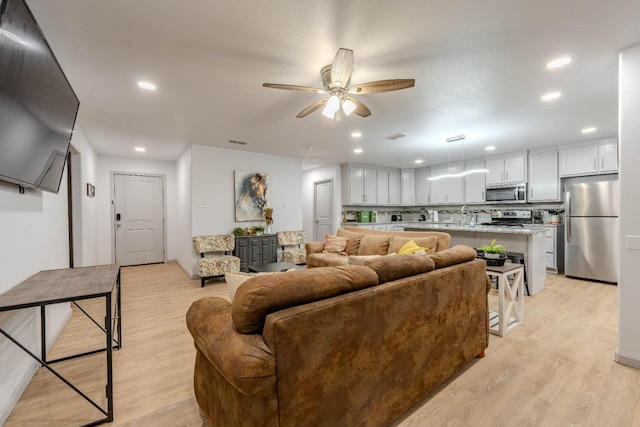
<point x="184" y="246"/>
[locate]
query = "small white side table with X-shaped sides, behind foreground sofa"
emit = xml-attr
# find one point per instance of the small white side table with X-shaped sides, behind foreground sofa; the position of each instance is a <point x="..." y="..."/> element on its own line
<point x="510" y="298"/>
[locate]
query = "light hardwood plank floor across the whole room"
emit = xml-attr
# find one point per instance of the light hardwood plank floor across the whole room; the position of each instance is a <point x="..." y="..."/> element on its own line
<point x="555" y="370"/>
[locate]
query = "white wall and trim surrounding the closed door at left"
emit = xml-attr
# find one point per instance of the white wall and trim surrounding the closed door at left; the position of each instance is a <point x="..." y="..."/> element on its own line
<point x="107" y="165"/>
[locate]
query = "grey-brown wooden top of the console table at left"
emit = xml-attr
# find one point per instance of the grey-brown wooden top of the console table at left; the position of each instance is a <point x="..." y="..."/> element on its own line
<point x="67" y="284"/>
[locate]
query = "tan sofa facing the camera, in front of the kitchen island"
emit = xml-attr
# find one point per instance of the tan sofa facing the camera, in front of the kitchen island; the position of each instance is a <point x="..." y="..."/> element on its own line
<point x="363" y="243"/>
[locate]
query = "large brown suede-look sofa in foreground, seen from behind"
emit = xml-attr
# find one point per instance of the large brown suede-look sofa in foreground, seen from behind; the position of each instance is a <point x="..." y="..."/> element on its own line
<point x="339" y="346"/>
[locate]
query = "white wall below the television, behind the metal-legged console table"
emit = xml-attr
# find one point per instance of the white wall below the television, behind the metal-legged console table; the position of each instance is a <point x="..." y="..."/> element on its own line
<point x="34" y="237"/>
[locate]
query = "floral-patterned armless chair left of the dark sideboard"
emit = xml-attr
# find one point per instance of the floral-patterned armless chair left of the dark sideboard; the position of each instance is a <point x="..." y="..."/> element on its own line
<point x="215" y="256"/>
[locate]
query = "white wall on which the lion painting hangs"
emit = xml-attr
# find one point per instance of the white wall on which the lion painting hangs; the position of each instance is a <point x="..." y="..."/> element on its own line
<point x="212" y="185"/>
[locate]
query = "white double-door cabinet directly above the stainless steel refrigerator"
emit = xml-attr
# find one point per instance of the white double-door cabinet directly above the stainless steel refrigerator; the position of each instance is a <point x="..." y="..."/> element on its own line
<point x="589" y="159"/>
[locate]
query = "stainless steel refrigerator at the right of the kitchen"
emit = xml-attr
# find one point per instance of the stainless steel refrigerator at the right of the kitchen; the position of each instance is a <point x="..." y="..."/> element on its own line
<point x="592" y="230"/>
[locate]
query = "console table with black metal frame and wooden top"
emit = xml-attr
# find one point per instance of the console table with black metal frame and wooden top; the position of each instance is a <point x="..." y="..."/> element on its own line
<point x="72" y="285"/>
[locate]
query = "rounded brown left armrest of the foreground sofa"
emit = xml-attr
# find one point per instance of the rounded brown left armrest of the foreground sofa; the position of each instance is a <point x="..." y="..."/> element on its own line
<point x="244" y="360"/>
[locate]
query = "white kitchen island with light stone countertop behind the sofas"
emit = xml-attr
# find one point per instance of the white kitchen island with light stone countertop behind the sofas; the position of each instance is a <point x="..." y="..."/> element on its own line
<point x="529" y="241"/>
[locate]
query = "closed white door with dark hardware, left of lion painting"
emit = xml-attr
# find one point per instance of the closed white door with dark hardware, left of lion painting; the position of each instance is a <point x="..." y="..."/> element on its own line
<point x="138" y="219"/>
